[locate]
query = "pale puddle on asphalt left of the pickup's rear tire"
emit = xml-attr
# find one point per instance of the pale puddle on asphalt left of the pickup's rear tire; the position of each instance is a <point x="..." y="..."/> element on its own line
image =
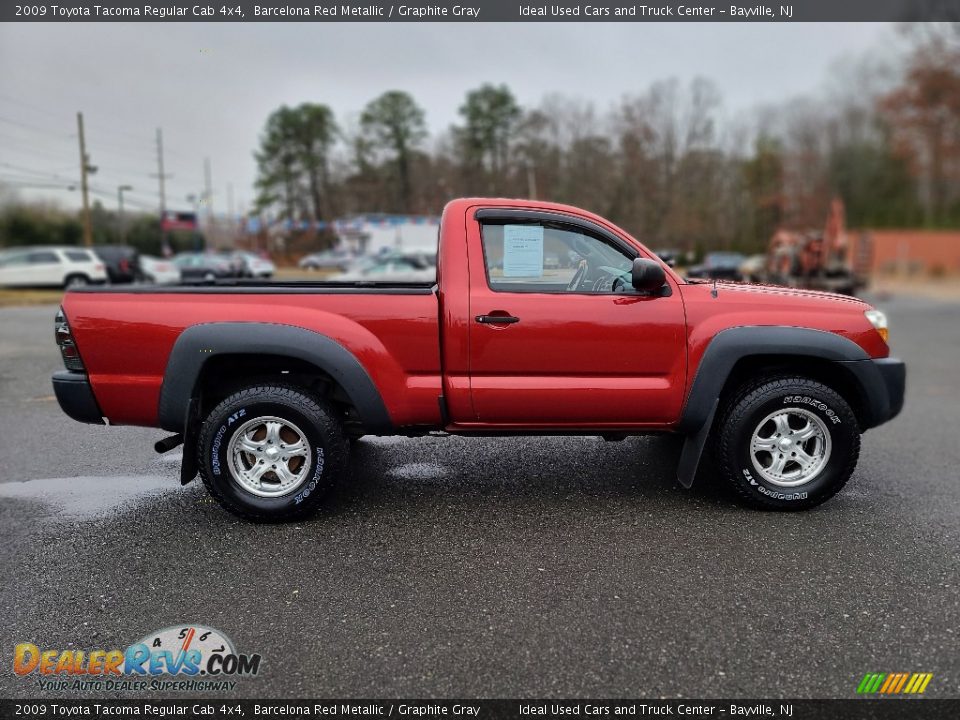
<point x="90" y="497"/>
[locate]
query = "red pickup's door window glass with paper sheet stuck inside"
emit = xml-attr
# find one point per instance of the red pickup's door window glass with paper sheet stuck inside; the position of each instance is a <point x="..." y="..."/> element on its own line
<point x="547" y="258"/>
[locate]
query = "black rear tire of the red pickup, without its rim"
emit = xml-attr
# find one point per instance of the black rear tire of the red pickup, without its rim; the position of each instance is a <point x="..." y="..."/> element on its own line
<point x="328" y="451"/>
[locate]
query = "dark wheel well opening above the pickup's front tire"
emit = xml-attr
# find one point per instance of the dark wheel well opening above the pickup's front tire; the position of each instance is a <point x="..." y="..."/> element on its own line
<point x="831" y="374"/>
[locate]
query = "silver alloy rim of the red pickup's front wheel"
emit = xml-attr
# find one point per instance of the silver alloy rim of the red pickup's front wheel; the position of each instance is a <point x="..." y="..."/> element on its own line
<point x="790" y="447"/>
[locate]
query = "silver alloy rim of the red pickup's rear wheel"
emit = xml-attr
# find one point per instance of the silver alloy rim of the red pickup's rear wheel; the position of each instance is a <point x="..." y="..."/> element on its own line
<point x="269" y="456"/>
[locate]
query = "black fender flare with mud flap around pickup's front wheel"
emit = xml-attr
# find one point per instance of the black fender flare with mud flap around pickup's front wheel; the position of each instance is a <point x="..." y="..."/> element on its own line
<point x="730" y="346"/>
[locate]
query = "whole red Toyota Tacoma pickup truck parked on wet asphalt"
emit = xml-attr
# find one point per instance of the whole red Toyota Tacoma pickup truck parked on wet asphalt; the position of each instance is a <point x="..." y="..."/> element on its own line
<point x="544" y="319"/>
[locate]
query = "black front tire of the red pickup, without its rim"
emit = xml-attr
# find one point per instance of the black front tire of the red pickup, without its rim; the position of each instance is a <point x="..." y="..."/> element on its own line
<point x="739" y="418"/>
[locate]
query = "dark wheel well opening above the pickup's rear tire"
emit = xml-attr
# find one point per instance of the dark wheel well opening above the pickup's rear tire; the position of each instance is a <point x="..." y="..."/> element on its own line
<point x="223" y="375"/>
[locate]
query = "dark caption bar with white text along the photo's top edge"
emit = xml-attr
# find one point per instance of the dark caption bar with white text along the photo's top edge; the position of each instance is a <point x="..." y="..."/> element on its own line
<point x="483" y="11"/>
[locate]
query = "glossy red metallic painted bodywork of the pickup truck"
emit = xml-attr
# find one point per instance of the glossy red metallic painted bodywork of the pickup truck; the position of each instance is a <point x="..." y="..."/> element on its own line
<point x="574" y="361"/>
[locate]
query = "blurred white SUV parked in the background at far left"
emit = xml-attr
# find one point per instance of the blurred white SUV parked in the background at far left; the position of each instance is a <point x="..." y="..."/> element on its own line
<point x="50" y="266"/>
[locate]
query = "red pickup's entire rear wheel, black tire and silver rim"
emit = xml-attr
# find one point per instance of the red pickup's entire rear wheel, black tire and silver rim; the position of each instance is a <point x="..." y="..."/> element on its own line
<point x="271" y="452"/>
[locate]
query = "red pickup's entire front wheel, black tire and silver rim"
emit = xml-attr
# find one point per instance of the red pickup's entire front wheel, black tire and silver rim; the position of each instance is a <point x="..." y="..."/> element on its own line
<point x="787" y="443"/>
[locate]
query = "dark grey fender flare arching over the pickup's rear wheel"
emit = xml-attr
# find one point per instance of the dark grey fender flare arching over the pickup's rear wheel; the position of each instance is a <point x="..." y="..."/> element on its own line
<point x="199" y="343"/>
